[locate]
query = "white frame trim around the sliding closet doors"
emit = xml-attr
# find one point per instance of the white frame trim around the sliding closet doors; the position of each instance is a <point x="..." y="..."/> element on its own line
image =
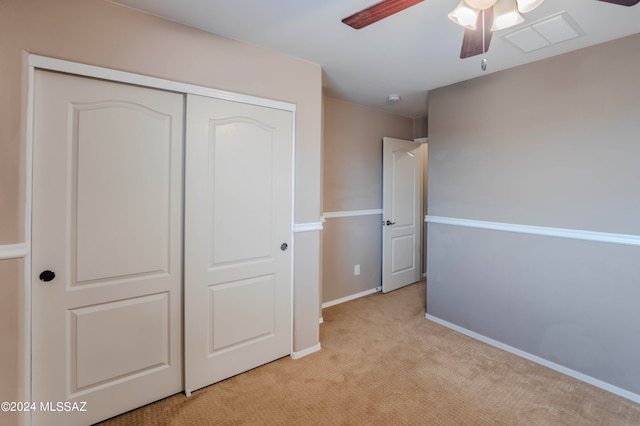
<point x="75" y="68"/>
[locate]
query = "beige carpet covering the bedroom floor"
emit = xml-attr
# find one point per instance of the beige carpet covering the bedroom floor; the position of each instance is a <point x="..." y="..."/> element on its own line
<point x="383" y="363"/>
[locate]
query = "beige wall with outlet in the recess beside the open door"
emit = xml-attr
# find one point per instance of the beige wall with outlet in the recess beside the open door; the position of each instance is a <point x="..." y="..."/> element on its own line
<point x="352" y="180"/>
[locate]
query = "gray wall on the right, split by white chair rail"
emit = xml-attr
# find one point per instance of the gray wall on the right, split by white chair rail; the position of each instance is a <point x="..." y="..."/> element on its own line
<point x="553" y="143"/>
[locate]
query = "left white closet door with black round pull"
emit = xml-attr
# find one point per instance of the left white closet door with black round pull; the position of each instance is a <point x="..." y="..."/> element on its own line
<point x="106" y="247"/>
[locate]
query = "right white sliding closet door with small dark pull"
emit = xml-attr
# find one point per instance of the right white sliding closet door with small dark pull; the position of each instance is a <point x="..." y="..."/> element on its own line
<point x="238" y="221"/>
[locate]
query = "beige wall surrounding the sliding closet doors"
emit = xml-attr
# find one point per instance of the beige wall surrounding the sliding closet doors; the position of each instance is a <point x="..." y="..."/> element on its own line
<point x="100" y="33"/>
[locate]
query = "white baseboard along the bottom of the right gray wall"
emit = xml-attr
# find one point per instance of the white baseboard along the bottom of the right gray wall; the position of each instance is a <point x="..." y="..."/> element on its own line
<point x="534" y="358"/>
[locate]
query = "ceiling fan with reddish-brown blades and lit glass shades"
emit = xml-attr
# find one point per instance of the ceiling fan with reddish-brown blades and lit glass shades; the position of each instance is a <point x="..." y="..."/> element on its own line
<point x="478" y="17"/>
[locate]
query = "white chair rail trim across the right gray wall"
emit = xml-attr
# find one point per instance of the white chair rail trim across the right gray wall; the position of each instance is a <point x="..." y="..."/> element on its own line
<point x="575" y="234"/>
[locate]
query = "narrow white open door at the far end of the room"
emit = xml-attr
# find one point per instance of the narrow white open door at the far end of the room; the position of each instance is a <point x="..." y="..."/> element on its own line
<point x="402" y="176"/>
